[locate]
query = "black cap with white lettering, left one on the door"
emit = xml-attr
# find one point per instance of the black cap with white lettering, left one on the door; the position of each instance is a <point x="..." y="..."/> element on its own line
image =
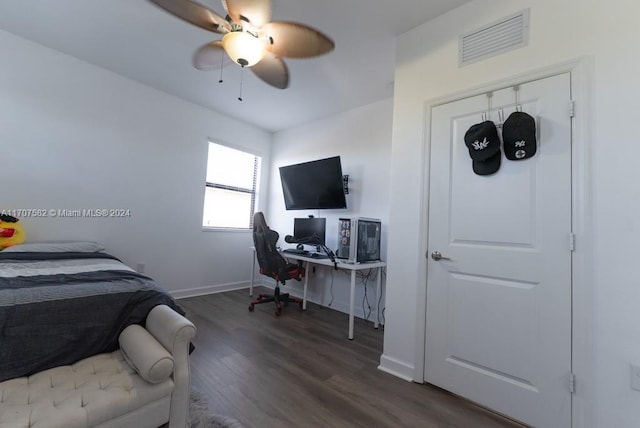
<point x="483" y="144"/>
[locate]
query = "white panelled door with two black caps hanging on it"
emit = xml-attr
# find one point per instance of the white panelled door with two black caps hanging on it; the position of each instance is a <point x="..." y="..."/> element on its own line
<point x="498" y="326"/>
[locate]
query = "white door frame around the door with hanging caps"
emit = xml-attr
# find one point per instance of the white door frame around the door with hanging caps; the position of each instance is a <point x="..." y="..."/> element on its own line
<point x="583" y="351"/>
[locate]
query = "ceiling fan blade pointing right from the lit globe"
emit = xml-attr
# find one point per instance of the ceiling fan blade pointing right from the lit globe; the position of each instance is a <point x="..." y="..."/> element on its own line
<point x="294" y="40"/>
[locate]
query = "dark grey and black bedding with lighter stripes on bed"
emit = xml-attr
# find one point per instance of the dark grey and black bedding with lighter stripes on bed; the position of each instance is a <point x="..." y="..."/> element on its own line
<point x="57" y="308"/>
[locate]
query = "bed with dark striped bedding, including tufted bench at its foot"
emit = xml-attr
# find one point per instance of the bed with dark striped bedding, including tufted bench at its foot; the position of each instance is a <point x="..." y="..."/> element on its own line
<point x="85" y="341"/>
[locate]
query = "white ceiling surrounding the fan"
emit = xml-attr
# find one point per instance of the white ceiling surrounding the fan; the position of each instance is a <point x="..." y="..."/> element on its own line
<point x="136" y="39"/>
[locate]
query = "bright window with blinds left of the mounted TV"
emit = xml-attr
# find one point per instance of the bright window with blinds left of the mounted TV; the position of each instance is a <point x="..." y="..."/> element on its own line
<point x="231" y="188"/>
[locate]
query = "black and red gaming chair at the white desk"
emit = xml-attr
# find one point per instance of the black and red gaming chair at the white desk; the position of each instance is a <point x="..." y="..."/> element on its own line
<point x="273" y="265"/>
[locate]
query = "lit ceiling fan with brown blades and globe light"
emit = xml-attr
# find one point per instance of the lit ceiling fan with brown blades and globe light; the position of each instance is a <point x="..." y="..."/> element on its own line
<point x="249" y="38"/>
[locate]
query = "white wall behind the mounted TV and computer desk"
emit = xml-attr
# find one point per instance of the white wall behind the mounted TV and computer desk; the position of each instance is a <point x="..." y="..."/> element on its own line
<point x="362" y="139"/>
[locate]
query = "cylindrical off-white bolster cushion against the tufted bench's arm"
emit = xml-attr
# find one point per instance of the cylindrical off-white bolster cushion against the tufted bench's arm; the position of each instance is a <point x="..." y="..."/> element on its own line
<point x="143" y="352"/>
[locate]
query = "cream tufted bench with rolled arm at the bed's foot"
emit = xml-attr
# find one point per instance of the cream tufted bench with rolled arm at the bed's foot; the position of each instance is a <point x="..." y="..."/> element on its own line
<point x="105" y="390"/>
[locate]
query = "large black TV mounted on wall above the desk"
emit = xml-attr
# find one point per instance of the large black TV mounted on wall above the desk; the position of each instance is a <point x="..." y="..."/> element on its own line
<point x="313" y="185"/>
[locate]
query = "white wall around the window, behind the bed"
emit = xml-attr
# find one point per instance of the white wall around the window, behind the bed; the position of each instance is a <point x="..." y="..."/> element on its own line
<point x="76" y="136"/>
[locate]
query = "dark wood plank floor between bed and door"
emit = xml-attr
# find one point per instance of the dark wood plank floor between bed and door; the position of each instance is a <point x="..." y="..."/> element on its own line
<point x="299" y="370"/>
